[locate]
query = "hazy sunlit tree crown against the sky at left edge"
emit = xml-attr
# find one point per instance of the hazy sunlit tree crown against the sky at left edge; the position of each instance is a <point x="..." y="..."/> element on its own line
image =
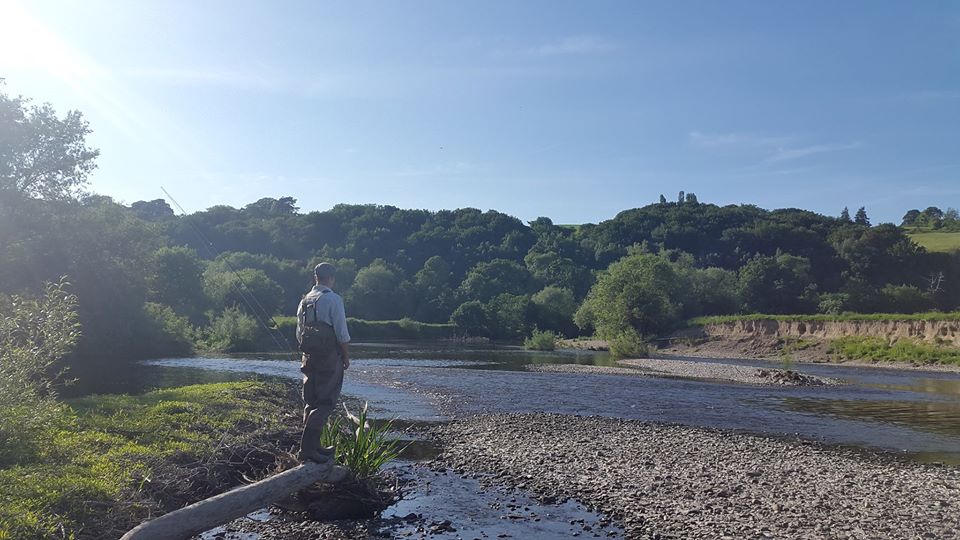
<point x="42" y="155"/>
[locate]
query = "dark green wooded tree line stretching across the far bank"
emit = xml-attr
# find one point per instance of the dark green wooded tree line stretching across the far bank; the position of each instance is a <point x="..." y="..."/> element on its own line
<point x="150" y="281"/>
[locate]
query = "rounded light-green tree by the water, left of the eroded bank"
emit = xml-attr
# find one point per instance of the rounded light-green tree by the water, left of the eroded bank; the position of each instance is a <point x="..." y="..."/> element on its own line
<point x="644" y="293"/>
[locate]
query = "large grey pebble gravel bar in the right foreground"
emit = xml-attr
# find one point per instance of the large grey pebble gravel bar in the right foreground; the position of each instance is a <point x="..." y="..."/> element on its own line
<point x="666" y="481"/>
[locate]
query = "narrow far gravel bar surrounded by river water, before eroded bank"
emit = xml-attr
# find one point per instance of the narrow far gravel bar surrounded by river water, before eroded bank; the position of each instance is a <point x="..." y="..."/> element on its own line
<point x="727" y="372"/>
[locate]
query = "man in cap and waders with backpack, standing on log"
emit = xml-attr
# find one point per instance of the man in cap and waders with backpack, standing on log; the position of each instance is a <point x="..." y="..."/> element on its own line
<point x="323" y="337"/>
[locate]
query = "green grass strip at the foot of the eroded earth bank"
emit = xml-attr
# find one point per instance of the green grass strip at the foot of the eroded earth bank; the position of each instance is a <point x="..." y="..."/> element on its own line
<point x="902" y="350"/>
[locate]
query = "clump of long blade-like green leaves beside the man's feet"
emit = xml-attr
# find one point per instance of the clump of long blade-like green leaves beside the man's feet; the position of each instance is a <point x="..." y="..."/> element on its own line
<point x="363" y="447"/>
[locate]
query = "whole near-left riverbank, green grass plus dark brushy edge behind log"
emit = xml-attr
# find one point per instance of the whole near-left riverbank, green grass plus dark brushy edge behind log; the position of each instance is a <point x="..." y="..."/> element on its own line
<point x="117" y="460"/>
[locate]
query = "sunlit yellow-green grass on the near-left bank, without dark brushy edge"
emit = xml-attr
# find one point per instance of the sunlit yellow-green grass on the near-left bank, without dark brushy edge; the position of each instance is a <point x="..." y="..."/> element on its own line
<point x="105" y="447"/>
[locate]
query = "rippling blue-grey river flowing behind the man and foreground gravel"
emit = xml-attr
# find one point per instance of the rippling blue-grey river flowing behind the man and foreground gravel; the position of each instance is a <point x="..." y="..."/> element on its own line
<point x="916" y="413"/>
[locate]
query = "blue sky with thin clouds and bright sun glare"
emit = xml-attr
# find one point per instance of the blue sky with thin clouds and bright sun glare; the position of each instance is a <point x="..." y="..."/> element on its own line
<point x="571" y="110"/>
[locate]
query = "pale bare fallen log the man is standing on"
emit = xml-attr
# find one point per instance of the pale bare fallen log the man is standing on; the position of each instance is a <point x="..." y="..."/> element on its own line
<point x="208" y="513"/>
